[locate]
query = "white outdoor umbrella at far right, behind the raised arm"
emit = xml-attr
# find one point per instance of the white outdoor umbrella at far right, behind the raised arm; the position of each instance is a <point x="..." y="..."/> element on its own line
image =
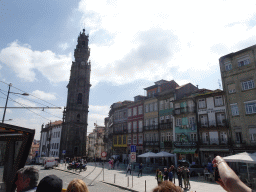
<point x="242" y="158"/>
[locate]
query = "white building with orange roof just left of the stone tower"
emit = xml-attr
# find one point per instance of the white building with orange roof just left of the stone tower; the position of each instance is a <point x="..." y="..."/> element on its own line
<point x="50" y="139"/>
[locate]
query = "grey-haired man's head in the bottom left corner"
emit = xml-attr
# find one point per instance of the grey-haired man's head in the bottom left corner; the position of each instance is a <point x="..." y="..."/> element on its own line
<point x="27" y="178"/>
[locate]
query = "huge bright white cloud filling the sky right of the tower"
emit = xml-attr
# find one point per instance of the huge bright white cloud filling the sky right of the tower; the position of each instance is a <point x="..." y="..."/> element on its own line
<point x="164" y="39"/>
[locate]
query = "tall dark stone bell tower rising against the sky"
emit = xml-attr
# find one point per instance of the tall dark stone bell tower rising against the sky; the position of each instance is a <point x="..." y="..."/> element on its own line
<point x="75" y="115"/>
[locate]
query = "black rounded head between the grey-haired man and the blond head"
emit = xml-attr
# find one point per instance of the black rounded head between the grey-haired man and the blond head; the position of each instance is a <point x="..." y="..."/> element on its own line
<point x="50" y="183"/>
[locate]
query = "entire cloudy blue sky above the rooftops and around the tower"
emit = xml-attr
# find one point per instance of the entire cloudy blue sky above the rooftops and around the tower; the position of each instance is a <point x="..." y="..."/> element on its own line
<point x="133" y="44"/>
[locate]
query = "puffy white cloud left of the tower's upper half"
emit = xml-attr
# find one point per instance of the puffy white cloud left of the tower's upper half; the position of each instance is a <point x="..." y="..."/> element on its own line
<point x="24" y="61"/>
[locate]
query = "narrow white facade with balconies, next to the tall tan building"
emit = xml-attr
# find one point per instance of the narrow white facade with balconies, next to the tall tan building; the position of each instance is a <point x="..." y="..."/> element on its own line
<point x="213" y="129"/>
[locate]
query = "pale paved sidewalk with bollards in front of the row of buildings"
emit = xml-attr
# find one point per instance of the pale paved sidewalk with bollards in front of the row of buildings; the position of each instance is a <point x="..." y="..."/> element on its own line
<point x="121" y="180"/>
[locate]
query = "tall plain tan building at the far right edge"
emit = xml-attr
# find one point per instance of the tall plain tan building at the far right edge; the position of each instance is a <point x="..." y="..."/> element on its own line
<point x="238" y="73"/>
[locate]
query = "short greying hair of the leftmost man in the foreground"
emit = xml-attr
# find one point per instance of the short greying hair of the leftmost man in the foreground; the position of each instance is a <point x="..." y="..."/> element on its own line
<point x="32" y="173"/>
